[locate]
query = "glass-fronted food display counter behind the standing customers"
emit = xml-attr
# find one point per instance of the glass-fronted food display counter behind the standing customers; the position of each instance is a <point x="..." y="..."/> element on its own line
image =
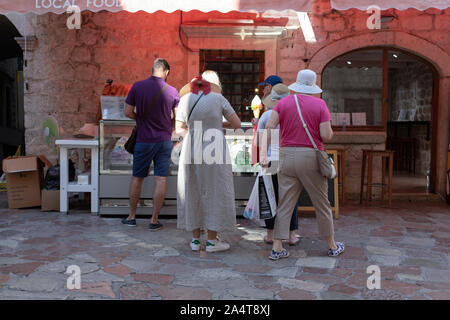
<point x="116" y="166"/>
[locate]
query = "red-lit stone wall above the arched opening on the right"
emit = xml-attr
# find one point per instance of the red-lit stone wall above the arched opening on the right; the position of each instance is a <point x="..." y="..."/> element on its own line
<point x="331" y="26"/>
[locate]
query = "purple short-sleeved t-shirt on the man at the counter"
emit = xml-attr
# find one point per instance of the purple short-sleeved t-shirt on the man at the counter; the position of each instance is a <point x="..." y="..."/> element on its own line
<point x="157" y="126"/>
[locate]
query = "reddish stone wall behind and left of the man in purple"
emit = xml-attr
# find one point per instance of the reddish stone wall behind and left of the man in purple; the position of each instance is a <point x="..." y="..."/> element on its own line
<point x="68" y="68"/>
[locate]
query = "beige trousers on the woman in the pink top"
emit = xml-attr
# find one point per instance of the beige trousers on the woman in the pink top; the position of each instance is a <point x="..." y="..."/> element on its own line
<point x="298" y="168"/>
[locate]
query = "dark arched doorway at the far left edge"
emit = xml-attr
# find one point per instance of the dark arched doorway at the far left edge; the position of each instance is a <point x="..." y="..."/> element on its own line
<point x="11" y="90"/>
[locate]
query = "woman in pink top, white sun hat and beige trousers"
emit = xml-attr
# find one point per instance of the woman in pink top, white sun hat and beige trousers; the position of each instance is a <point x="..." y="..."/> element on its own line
<point x="298" y="166"/>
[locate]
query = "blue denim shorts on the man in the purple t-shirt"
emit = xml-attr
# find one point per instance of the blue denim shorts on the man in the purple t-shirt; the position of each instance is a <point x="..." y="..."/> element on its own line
<point x="145" y="153"/>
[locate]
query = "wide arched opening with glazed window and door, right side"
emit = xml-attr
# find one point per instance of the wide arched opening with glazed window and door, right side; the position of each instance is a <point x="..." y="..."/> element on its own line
<point x="390" y="90"/>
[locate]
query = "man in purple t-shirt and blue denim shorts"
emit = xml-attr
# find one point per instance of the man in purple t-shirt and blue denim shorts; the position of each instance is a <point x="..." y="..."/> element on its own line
<point x="154" y="137"/>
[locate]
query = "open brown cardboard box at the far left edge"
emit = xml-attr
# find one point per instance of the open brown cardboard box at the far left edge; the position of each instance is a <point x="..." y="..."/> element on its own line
<point x="24" y="180"/>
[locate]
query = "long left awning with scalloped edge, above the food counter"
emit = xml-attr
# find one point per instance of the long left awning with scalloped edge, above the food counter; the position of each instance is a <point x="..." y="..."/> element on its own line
<point x="60" y="6"/>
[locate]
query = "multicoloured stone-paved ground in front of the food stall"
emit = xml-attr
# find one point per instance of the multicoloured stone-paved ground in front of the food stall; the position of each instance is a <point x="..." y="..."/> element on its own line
<point x="410" y="243"/>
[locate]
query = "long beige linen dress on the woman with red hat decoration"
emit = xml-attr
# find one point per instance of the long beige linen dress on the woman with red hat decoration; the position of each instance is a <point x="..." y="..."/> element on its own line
<point x="205" y="197"/>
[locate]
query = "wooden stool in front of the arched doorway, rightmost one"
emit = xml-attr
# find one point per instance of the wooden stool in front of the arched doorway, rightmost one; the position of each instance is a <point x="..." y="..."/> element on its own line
<point x="369" y="154"/>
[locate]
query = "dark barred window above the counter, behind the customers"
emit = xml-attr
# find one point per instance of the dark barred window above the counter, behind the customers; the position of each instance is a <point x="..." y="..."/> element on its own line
<point x="239" y="72"/>
